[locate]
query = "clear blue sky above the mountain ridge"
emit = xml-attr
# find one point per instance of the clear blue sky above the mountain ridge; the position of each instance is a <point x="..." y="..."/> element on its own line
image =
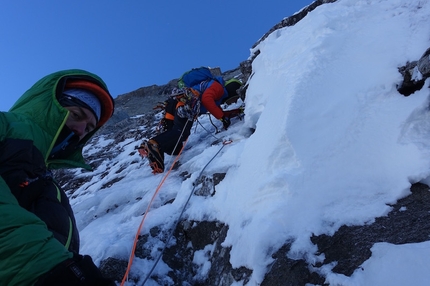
<point x="130" y="44"/>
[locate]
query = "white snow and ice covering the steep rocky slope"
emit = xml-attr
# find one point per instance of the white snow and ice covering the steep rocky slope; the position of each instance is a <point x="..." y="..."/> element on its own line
<point x="334" y="143"/>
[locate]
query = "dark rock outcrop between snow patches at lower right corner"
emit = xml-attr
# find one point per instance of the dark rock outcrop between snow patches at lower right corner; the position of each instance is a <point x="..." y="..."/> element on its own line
<point x="408" y="222"/>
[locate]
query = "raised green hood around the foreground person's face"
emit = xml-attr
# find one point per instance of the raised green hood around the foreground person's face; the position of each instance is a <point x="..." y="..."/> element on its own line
<point x="38" y="116"/>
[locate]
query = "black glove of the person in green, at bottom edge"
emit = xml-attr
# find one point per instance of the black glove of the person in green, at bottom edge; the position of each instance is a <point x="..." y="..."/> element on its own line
<point x="79" y="270"/>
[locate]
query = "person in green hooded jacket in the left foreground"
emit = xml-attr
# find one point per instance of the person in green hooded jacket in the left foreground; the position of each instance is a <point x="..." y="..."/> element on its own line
<point x="46" y="129"/>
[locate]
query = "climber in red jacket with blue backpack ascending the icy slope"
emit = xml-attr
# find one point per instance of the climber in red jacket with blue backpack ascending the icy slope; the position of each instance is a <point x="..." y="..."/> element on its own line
<point x="194" y="97"/>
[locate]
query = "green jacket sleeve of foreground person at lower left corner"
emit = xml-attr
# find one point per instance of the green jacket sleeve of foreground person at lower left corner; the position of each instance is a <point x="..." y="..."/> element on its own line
<point x="27" y="248"/>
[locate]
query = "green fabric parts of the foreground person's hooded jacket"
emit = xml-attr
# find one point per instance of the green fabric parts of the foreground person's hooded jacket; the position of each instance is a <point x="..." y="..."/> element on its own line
<point x="27" y="248"/>
